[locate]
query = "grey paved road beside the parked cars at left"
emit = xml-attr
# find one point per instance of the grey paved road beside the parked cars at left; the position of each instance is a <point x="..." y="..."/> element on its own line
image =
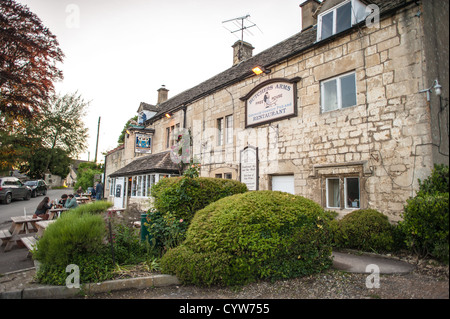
<point x="17" y="207"/>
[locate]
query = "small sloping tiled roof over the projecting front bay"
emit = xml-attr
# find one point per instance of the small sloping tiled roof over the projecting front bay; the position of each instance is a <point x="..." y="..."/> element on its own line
<point x="159" y="163"/>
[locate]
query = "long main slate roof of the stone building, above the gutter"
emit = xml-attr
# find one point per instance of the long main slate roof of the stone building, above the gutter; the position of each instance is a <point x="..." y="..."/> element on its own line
<point x="276" y="54"/>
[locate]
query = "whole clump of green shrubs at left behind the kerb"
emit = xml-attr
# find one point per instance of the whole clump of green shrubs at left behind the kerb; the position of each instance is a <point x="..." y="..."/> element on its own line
<point x="79" y="237"/>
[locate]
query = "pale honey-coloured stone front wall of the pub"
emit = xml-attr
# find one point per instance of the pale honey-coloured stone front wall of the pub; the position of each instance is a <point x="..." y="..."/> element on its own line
<point x="384" y="140"/>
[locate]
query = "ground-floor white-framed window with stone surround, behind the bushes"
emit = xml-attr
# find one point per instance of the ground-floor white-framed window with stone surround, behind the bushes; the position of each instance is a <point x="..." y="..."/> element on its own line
<point x="350" y="192"/>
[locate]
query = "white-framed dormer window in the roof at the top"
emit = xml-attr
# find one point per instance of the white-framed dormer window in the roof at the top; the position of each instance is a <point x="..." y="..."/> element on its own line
<point x="339" y="18"/>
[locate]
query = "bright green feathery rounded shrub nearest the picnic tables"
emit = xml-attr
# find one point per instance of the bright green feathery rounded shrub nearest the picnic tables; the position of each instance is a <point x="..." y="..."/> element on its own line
<point x="72" y="234"/>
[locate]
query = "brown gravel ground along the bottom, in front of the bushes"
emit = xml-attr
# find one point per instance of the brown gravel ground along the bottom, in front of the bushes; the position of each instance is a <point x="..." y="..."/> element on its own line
<point x="427" y="281"/>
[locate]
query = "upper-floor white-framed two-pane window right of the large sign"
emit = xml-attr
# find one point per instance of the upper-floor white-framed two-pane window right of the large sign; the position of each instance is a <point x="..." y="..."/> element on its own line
<point x="338" y="92"/>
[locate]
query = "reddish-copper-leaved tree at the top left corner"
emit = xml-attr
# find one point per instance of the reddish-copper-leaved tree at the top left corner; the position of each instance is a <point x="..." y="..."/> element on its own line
<point x="29" y="54"/>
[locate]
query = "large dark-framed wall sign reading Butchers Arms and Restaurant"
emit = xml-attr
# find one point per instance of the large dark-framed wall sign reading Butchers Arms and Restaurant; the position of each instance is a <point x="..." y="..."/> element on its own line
<point x="270" y="101"/>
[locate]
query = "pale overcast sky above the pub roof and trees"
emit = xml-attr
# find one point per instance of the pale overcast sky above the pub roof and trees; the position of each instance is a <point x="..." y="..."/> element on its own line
<point x="118" y="53"/>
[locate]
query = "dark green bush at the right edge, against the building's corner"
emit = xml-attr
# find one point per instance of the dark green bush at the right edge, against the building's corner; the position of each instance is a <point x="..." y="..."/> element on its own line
<point x="426" y="217"/>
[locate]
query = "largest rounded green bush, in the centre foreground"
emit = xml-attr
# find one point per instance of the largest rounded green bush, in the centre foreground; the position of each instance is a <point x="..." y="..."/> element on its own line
<point x="251" y="236"/>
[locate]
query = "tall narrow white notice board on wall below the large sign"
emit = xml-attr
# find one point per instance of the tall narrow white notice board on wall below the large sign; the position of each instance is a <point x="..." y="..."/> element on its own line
<point x="249" y="172"/>
